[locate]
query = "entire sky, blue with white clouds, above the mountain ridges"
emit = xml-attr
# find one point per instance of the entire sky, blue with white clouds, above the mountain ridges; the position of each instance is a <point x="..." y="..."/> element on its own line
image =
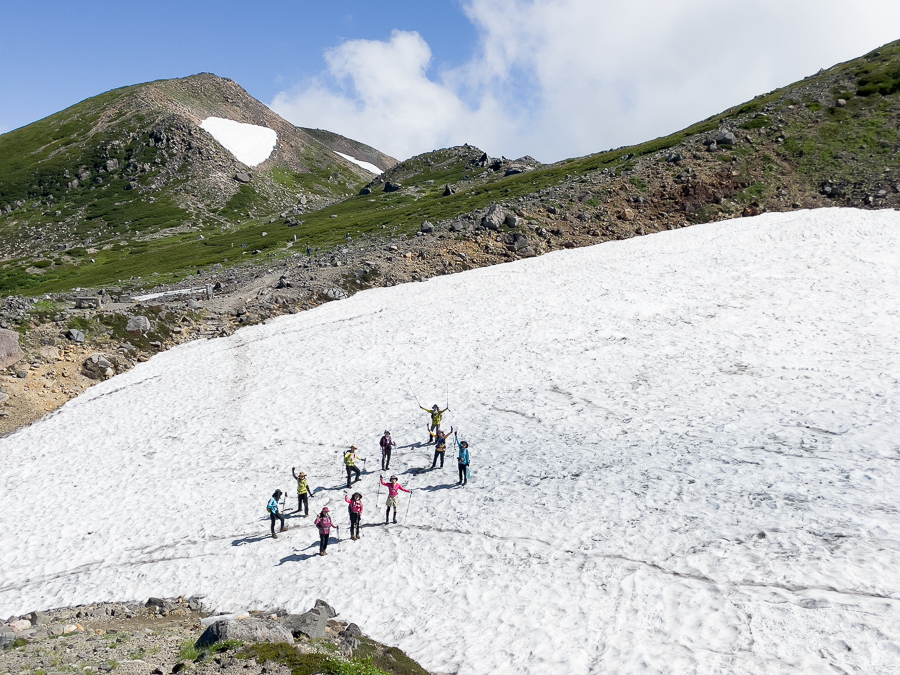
<point x="550" y="78"/>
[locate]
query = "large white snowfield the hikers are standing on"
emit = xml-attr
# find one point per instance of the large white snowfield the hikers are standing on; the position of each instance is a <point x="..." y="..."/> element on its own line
<point x="685" y="449"/>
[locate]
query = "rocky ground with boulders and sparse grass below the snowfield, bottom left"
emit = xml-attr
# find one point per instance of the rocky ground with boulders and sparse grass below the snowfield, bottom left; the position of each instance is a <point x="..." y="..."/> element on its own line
<point x="164" y="636"/>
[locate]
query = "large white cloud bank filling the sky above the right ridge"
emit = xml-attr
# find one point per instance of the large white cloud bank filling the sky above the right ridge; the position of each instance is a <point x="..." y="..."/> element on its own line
<point x="557" y="78"/>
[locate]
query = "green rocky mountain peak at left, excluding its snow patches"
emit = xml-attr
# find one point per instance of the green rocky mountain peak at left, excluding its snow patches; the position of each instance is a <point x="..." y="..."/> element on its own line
<point x="130" y="166"/>
